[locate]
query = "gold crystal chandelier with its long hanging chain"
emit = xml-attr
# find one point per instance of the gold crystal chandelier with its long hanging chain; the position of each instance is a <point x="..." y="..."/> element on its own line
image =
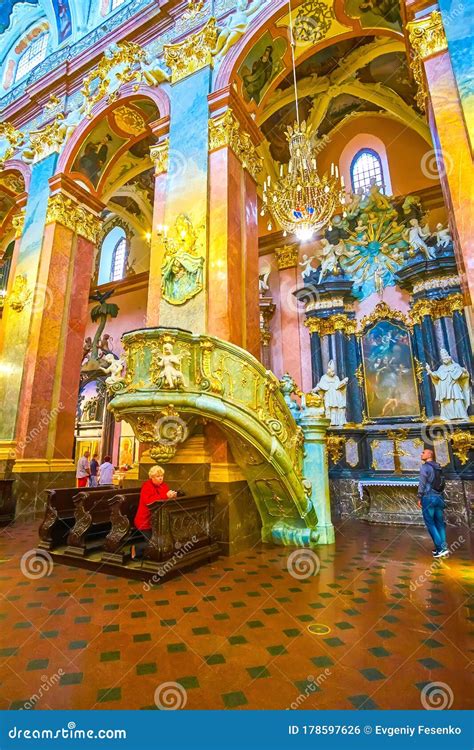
<point x="301" y="201"/>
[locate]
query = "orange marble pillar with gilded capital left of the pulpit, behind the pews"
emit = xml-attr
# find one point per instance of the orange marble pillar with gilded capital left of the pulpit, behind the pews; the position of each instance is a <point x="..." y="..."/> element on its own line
<point x="45" y="426"/>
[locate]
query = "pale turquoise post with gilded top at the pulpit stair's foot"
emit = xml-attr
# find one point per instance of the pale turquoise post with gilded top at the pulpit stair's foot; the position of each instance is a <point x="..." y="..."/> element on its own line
<point x="315" y="469"/>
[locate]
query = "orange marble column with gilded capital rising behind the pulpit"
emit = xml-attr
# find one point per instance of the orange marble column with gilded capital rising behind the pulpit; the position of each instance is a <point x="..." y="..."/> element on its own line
<point x="233" y="297"/>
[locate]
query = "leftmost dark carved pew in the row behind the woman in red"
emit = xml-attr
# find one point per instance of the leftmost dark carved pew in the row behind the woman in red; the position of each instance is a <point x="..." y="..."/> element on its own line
<point x="59" y="514"/>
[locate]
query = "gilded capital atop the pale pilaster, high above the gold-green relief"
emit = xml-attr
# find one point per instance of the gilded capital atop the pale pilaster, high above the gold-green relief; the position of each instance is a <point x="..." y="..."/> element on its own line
<point x="193" y="53"/>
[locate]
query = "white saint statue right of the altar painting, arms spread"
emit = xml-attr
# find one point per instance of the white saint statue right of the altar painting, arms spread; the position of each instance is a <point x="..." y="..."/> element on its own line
<point x="452" y="387"/>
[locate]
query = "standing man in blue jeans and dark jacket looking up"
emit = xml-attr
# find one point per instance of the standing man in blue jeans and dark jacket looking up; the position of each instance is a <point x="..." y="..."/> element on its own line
<point x="431" y="501"/>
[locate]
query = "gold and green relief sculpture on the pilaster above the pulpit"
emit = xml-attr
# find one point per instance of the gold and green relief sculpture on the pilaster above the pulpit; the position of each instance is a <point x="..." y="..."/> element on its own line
<point x="183" y="267"/>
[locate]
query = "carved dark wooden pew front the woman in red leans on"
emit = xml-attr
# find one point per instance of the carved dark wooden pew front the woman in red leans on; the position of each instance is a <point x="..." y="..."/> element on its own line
<point x="181" y="536"/>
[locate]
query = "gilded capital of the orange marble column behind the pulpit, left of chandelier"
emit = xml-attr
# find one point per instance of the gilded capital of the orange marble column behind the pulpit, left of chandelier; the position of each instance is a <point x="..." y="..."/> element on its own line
<point x="225" y="130"/>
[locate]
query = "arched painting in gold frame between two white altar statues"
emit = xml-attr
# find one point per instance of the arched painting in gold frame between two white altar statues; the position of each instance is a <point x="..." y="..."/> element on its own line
<point x="390" y="383"/>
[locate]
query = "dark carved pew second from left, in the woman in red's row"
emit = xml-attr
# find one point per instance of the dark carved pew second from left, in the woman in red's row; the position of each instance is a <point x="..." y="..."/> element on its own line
<point x="92" y="516"/>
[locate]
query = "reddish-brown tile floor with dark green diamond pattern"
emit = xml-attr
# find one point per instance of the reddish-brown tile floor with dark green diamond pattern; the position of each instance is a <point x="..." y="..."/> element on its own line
<point x="234" y="634"/>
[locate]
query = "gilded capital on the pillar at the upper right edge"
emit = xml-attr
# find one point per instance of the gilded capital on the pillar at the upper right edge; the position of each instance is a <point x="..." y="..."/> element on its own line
<point x="427" y="37"/>
